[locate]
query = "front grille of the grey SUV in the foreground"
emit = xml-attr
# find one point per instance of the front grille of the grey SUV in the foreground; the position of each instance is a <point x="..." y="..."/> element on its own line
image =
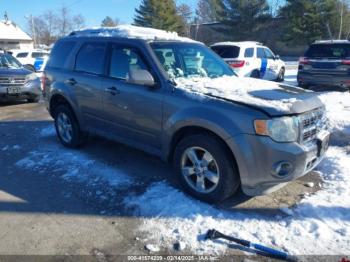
<point x="311" y="124"/>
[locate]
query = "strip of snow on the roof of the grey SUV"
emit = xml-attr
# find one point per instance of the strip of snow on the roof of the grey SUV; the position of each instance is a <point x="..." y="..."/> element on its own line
<point x="130" y="31"/>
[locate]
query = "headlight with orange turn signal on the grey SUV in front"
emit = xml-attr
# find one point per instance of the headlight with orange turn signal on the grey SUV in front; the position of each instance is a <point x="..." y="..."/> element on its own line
<point x="284" y="129"/>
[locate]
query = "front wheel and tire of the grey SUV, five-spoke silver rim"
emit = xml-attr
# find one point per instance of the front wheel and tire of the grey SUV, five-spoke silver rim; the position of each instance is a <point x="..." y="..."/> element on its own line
<point x="206" y="168"/>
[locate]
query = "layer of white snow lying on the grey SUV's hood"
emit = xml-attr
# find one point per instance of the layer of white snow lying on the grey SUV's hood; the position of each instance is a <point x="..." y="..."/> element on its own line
<point x="240" y="89"/>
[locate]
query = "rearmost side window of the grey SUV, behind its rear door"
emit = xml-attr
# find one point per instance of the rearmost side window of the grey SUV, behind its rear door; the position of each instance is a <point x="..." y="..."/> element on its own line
<point x="60" y="54"/>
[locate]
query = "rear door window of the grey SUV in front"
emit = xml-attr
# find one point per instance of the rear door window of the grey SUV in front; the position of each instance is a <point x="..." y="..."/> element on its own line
<point x="90" y="58"/>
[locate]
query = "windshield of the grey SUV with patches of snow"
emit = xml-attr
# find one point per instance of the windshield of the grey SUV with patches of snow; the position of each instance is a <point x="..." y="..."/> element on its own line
<point x="188" y="60"/>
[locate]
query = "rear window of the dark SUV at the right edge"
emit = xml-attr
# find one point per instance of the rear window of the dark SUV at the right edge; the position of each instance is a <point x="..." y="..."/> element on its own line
<point x="328" y="51"/>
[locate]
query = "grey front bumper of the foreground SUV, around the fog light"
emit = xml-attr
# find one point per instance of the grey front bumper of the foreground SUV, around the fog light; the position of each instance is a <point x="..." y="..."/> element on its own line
<point x="257" y="156"/>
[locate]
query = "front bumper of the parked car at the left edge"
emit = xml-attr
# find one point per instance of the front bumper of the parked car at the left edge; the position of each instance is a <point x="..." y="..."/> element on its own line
<point x="30" y="89"/>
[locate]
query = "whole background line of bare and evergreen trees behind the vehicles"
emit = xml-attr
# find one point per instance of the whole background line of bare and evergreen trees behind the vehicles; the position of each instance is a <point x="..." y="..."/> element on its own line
<point x="299" y="21"/>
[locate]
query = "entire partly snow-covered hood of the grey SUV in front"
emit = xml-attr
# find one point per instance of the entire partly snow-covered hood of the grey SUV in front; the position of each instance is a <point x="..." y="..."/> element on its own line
<point x="272" y="98"/>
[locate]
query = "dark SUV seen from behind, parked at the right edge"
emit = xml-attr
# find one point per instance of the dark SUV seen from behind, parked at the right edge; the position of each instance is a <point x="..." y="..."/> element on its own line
<point x="326" y="63"/>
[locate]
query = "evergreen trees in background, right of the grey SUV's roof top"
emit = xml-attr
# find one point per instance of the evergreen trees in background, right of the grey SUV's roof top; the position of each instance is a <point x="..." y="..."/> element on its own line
<point x="300" y="21"/>
